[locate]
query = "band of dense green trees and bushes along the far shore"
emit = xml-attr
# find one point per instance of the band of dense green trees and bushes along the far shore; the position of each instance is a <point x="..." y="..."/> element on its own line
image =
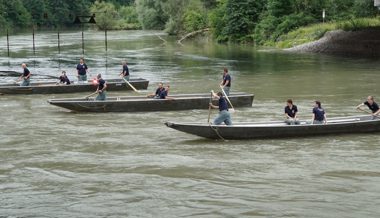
<point x="258" y="21"/>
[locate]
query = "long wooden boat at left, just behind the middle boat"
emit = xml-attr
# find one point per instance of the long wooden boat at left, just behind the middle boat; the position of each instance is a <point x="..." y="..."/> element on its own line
<point x="54" y="88"/>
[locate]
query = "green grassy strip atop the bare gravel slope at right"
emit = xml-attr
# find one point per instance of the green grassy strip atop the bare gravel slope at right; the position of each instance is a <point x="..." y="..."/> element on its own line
<point x="316" y="31"/>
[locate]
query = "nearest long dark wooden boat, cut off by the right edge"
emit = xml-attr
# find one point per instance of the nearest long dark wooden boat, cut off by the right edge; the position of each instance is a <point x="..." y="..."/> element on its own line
<point x="269" y="130"/>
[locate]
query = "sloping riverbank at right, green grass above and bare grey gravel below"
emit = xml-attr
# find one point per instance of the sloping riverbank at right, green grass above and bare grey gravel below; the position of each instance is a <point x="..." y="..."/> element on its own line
<point x="358" y="37"/>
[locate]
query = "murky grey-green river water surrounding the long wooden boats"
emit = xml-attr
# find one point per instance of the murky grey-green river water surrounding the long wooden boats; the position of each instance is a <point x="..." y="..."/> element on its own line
<point x="55" y="163"/>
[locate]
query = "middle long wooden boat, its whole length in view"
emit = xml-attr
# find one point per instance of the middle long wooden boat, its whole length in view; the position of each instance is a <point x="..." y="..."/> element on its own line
<point x="142" y="103"/>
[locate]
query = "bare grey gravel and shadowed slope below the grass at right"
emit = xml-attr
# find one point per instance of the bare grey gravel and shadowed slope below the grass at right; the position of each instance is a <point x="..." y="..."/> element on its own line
<point x="363" y="43"/>
